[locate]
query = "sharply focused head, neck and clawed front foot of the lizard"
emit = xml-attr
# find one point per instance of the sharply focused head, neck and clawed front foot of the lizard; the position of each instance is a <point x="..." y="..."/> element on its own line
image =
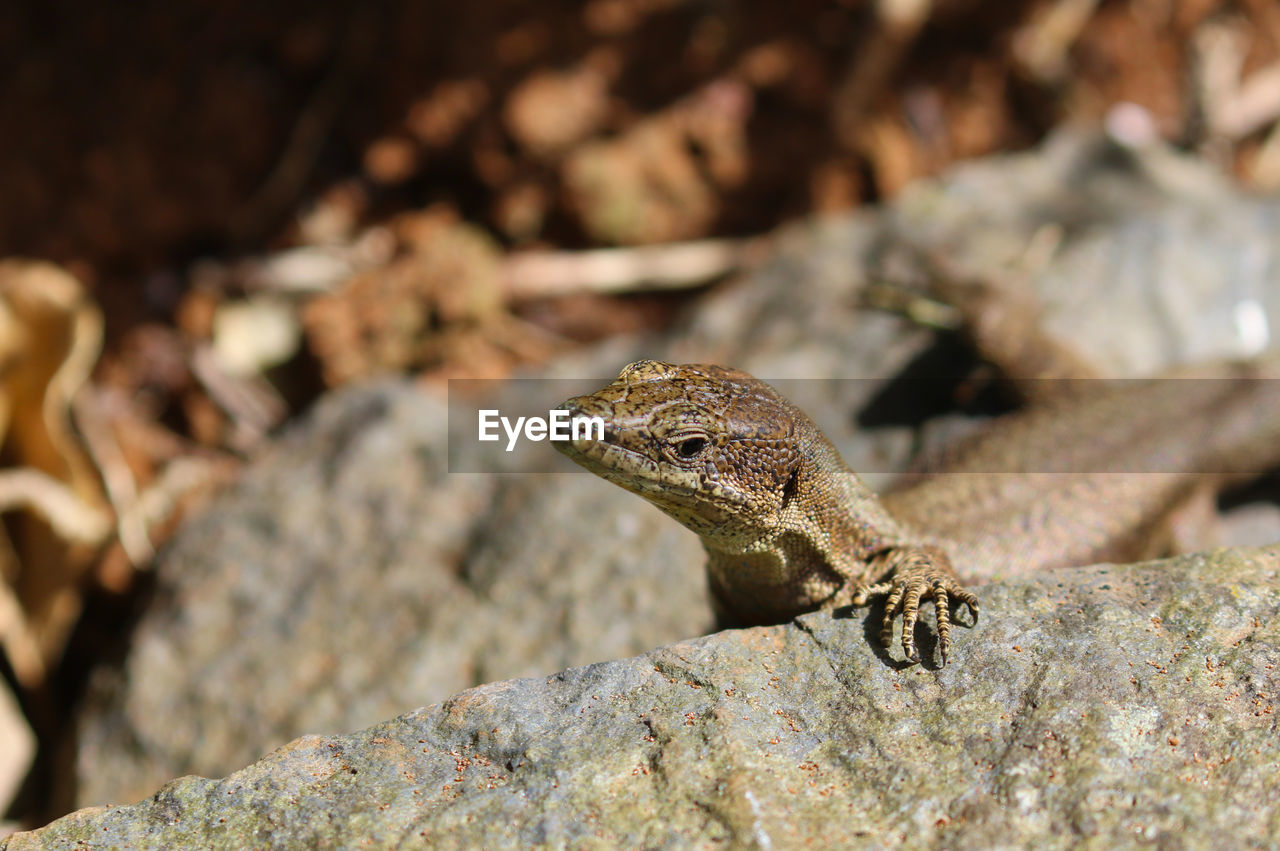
<point x="787" y="525"/>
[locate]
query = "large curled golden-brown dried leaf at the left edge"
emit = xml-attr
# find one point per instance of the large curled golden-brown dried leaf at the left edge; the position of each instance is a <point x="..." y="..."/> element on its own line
<point x="51" y="337"/>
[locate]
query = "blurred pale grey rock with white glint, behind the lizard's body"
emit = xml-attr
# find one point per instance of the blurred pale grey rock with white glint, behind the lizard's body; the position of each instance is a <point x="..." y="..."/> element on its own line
<point x="1142" y="259"/>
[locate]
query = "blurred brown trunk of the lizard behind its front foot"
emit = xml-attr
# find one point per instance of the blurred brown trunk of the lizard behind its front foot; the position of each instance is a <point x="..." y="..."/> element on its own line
<point x="1099" y="473"/>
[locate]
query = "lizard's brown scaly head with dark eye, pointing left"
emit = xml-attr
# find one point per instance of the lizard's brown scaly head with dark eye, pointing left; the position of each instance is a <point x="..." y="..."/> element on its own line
<point x="712" y="447"/>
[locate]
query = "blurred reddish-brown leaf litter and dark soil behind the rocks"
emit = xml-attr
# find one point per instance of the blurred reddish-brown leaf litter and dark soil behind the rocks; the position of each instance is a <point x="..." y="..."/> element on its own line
<point x="214" y="213"/>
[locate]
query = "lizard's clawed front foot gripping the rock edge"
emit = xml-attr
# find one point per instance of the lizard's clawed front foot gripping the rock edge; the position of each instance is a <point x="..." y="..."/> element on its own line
<point x="918" y="575"/>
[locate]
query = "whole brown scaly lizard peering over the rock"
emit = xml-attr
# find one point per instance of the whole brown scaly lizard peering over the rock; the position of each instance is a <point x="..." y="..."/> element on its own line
<point x="789" y="528"/>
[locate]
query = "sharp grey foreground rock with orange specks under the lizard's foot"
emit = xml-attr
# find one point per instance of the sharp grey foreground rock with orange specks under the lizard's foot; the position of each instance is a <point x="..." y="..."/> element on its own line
<point x="1107" y="704"/>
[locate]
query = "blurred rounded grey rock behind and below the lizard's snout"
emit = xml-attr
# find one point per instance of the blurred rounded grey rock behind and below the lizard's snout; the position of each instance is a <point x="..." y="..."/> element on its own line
<point x="349" y="578"/>
